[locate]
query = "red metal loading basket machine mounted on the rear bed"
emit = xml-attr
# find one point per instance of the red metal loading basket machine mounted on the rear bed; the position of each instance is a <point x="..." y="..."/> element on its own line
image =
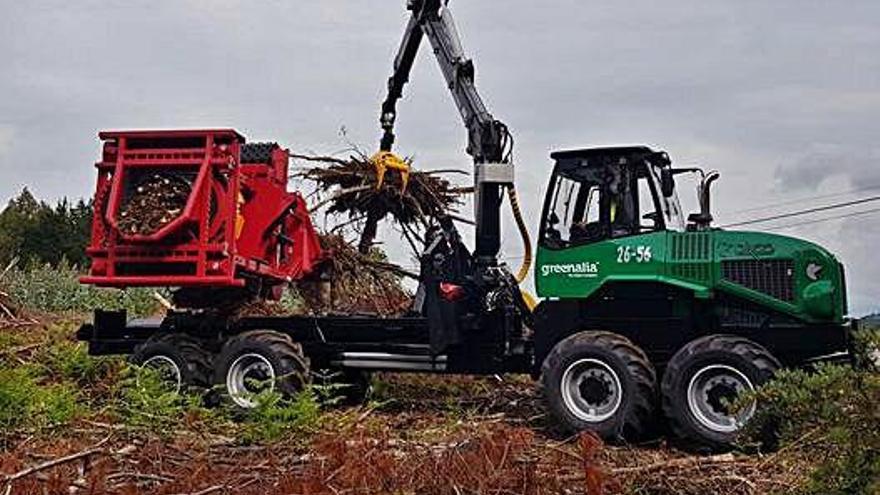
<point x="239" y="227"/>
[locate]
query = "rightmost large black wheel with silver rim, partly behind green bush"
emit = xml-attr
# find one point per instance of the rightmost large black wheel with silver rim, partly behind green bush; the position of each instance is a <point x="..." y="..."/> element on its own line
<point x="702" y="378"/>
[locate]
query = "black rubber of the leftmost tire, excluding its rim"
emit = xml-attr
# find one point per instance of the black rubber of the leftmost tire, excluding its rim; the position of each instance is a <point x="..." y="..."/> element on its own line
<point x="187" y="353"/>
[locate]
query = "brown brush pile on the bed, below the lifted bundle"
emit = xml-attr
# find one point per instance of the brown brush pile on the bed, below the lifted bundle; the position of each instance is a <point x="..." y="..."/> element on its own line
<point x="357" y="283"/>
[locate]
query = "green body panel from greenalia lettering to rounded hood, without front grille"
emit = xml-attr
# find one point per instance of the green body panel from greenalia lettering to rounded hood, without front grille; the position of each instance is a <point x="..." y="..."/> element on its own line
<point x="693" y="261"/>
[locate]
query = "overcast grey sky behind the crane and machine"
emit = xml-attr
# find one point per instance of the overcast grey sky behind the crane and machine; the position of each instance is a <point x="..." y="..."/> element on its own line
<point x="782" y="97"/>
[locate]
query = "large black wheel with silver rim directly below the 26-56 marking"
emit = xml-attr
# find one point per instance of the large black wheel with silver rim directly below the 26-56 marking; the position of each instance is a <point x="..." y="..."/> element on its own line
<point x="579" y="379"/>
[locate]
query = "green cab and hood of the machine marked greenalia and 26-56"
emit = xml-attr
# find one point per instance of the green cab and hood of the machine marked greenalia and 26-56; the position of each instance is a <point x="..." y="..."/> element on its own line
<point x="608" y="220"/>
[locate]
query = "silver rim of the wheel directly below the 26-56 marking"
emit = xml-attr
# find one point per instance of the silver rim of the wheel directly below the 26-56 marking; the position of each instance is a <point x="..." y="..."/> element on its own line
<point x="591" y="390"/>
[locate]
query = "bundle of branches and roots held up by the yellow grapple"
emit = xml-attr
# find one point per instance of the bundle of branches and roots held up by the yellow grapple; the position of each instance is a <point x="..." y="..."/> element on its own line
<point x="352" y="188"/>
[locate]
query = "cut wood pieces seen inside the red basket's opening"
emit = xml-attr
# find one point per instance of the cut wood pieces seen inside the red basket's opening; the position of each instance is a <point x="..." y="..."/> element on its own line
<point x="153" y="204"/>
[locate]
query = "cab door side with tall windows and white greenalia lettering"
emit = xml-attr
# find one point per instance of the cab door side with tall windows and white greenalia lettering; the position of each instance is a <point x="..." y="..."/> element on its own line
<point x="600" y="223"/>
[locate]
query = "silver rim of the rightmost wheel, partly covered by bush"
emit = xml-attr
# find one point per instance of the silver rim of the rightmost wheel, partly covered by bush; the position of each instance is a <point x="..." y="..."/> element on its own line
<point x="710" y="392"/>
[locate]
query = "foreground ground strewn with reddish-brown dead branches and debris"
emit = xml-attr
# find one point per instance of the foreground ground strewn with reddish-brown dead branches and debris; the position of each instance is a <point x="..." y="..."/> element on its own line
<point x="422" y="435"/>
